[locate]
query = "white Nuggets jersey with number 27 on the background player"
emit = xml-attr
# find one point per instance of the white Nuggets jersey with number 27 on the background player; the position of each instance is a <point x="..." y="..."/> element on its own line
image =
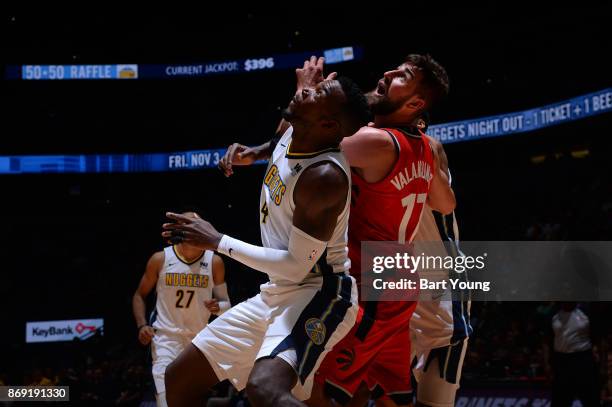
<point x="182" y="289"/>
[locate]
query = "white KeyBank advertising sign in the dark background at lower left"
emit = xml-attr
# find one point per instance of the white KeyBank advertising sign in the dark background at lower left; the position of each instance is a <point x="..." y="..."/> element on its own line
<point x="57" y="331"/>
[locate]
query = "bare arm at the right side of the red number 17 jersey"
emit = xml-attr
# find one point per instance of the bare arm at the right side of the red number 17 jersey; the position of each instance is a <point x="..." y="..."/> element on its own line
<point x="441" y="196"/>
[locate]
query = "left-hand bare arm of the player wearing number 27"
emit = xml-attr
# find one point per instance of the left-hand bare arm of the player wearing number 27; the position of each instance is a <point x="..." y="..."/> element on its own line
<point x="146" y="285"/>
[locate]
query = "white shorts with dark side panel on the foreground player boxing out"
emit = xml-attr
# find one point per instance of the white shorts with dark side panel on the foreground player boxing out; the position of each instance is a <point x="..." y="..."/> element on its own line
<point x="299" y="324"/>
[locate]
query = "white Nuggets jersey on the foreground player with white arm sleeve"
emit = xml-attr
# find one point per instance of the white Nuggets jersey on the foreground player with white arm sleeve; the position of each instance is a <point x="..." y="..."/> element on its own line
<point x="277" y="205"/>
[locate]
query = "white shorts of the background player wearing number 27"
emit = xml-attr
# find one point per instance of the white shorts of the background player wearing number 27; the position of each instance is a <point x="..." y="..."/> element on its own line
<point x="165" y="348"/>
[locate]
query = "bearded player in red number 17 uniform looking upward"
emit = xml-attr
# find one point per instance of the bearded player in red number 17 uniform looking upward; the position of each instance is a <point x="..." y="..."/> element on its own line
<point x="396" y="170"/>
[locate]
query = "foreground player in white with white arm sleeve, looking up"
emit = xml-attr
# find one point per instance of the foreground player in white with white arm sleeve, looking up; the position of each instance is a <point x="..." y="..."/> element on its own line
<point x="272" y="343"/>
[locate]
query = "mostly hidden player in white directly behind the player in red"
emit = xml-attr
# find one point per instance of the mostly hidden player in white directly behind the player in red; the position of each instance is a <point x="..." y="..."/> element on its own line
<point x="440" y="327"/>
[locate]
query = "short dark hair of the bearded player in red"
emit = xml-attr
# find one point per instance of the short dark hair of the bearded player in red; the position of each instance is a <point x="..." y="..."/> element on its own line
<point x="435" y="83"/>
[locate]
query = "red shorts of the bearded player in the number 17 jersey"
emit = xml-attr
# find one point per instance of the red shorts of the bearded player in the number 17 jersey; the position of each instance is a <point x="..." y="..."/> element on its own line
<point x="375" y="351"/>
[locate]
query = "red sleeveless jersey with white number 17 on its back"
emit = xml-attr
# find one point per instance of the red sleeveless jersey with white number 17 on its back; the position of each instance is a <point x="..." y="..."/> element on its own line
<point x="390" y="210"/>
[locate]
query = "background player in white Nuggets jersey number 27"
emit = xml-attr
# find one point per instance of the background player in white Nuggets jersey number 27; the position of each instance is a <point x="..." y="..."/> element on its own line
<point x="190" y="286"/>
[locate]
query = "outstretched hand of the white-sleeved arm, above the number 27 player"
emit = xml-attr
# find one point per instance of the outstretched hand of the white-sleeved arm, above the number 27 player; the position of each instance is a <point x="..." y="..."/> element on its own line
<point x="195" y="232"/>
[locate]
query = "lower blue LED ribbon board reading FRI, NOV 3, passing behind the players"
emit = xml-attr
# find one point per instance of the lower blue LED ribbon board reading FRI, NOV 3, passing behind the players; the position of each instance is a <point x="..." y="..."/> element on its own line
<point x="485" y="127"/>
